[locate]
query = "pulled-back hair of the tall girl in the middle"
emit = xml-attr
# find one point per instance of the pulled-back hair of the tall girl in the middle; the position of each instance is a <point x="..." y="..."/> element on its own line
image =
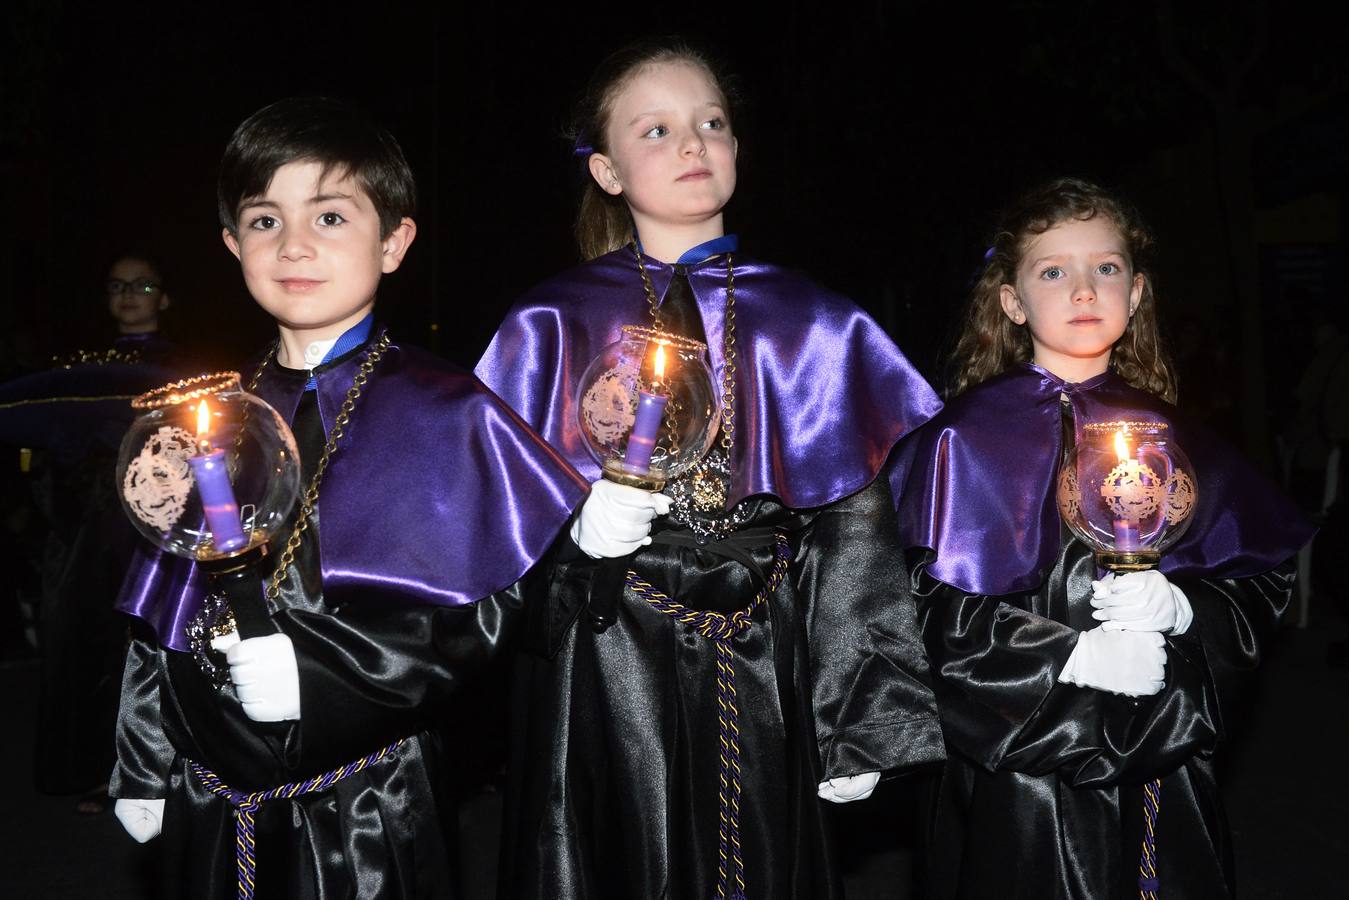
<point x="604" y="223"/>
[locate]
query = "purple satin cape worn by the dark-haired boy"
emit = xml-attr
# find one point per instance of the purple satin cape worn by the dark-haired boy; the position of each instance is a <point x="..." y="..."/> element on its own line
<point x="438" y="495"/>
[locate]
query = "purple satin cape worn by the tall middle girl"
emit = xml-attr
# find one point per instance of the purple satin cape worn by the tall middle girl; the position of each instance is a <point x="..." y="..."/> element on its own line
<point x="822" y="393"/>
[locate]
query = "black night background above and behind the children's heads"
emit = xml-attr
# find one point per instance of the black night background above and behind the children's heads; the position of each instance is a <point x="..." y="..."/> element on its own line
<point x="878" y="145"/>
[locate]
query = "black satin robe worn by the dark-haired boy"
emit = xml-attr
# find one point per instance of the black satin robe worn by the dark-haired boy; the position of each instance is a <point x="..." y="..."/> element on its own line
<point x="369" y="675"/>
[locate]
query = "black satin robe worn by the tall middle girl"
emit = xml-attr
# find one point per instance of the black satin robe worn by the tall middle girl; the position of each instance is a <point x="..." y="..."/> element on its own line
<point x="614" y="789"/>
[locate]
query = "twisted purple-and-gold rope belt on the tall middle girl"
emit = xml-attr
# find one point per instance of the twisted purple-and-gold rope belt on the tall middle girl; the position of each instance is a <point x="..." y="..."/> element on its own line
<point x="722" y="629"/>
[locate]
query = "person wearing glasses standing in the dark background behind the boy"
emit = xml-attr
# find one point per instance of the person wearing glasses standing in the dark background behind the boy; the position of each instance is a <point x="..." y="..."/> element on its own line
<point x="71" y="419"/>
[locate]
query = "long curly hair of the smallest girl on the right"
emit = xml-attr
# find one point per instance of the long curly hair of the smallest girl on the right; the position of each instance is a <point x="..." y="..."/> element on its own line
<point x="991" y="343"/>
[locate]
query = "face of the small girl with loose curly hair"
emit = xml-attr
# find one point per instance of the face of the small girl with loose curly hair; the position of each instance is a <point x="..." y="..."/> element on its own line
<point x="1076" y="291"/>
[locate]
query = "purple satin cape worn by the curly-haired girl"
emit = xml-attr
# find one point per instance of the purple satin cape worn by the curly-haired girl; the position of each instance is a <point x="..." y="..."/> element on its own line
<point x="981" y="482"/>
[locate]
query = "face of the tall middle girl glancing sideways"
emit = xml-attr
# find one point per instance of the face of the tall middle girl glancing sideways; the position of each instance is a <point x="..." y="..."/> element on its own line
<point x="671" y="149"/>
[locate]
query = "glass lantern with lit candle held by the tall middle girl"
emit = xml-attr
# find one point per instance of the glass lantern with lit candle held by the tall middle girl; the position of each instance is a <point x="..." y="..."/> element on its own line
<point x="648" y="407"/>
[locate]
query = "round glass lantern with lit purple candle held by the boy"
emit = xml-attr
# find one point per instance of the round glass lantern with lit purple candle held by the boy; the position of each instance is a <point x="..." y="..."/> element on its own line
<point x="208" y="472"/>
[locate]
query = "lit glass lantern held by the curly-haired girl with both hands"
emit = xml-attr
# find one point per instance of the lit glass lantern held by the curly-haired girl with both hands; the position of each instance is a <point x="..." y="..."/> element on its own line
<point x="1128" y="492"/>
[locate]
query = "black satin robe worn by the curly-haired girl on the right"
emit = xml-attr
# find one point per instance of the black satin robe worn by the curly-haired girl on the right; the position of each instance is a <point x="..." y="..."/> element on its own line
<point x="1042" y="794"/>
